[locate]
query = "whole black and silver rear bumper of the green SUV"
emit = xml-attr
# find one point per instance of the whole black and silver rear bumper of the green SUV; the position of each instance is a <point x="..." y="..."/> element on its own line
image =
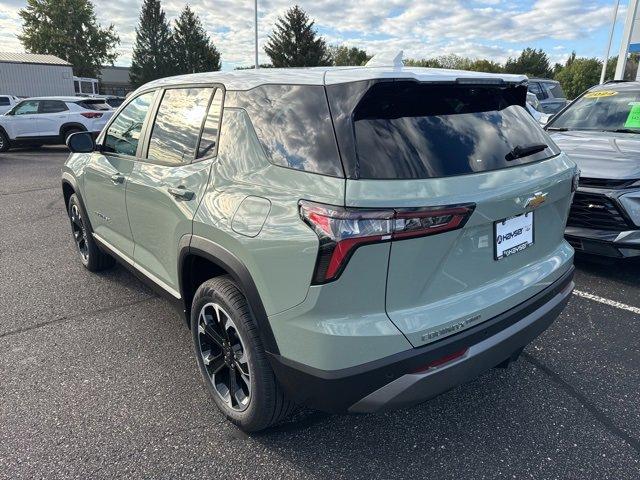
<point x="389" y="382"/>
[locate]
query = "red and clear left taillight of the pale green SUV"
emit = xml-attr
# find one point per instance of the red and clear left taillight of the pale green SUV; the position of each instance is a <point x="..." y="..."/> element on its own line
<point x="342" y="230"/>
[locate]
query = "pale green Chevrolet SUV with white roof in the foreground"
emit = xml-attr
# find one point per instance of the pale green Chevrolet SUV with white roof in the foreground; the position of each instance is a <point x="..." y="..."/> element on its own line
<point x="335" y="239"/>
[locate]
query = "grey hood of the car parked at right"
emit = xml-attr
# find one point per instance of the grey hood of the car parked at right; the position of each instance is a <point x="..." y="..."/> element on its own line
<point x="602" y="154"/>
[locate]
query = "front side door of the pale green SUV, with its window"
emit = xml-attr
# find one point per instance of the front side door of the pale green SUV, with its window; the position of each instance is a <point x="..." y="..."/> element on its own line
<point x="107" y="172"/>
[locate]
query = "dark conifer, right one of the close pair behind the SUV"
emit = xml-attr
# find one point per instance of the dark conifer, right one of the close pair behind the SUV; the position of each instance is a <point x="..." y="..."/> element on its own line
<point x="192" y="49"/>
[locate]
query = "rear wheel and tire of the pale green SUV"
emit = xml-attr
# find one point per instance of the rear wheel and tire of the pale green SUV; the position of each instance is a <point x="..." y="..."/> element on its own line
<point x="237" y="353"/>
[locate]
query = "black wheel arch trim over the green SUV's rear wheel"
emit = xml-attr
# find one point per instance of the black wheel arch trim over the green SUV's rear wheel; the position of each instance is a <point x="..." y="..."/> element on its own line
<point x="226" y="260"/>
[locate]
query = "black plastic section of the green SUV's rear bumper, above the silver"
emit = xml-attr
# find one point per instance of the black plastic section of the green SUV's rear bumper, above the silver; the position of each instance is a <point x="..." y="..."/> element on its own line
<point x="338" y="390"/>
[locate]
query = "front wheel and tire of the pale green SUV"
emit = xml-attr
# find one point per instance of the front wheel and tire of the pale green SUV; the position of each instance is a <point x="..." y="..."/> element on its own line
<point x="91" y="256"/>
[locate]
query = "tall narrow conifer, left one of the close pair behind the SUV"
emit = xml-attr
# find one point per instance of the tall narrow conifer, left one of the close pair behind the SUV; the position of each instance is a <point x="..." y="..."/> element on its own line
<point x="152" y="50"/>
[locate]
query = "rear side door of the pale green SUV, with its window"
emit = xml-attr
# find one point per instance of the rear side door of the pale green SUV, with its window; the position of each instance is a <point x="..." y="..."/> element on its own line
<point x="166" y="186"/>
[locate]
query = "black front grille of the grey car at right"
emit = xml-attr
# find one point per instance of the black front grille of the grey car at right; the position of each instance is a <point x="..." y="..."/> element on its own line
<point x="590" y="210"/>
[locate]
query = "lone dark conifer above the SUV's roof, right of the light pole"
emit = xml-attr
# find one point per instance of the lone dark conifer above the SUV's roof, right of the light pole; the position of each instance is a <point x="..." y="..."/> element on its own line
<point x="295" y="43"/>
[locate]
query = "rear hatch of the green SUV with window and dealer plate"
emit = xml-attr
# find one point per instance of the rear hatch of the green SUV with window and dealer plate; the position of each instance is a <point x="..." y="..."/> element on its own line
<point x="479" y="195"/>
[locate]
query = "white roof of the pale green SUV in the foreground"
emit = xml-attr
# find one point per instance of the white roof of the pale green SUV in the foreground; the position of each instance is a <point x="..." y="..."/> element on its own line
<point x="248" y="79"/>
